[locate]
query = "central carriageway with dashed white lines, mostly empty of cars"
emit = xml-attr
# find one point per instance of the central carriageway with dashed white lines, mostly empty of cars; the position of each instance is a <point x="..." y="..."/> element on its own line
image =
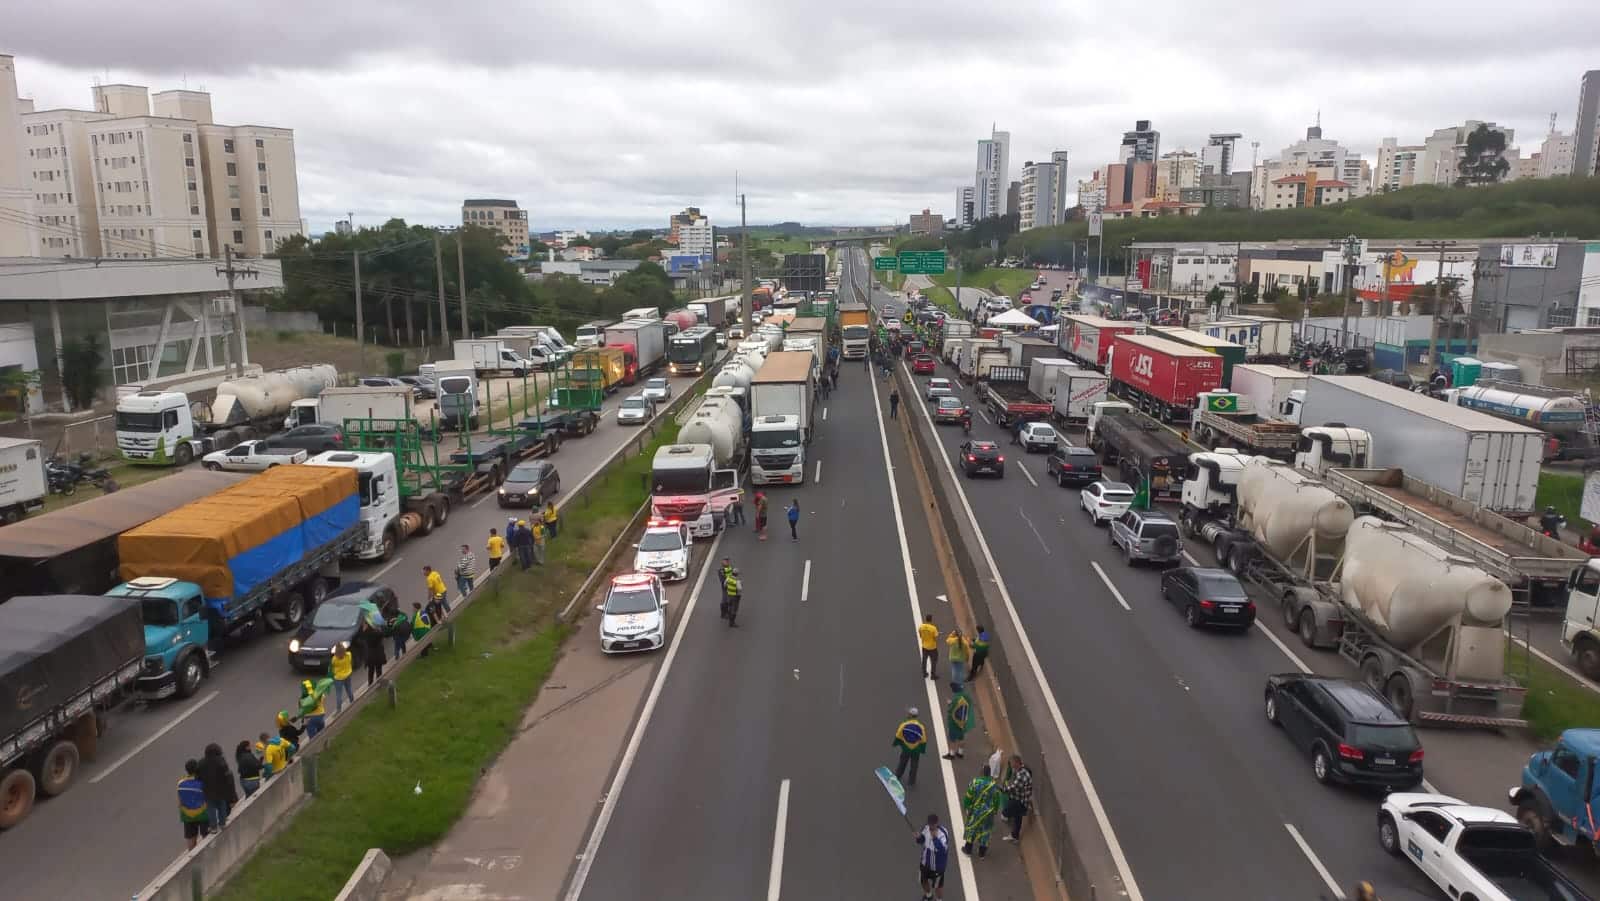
<point x="756" y="771"/>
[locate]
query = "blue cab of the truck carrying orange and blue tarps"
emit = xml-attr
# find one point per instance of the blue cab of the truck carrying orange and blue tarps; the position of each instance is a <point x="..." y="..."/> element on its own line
<point x="177" y="636"/>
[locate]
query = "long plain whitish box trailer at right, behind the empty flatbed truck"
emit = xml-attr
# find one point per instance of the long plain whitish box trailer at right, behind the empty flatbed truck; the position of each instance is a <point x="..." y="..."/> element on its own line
<point x="1489" y="462"/>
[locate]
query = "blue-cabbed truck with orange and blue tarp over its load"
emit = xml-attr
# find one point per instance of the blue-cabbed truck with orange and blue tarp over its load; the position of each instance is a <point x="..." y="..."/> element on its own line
<point x="260" y="553"/>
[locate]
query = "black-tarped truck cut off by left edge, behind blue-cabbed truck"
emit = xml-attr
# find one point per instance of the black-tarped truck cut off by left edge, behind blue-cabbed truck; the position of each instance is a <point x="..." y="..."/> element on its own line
<point x="65" y="662"/>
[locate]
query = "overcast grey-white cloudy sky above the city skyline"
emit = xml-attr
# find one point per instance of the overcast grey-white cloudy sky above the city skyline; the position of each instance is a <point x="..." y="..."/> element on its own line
<point x="622" y="113"/>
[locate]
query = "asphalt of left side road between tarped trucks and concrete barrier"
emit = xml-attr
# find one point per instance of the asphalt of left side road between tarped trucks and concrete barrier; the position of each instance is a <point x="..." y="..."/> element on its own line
<point x="124" y="806"/>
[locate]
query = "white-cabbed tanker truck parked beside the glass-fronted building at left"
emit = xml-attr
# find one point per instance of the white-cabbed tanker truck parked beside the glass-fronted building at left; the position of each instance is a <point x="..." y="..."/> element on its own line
<point x="162" y="428"/>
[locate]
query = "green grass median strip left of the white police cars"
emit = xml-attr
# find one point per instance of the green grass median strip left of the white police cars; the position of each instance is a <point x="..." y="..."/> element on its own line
<point x="458" y="710"/>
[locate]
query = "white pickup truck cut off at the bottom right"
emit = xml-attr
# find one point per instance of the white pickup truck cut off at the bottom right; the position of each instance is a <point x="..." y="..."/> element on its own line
<point x="1473" y="854"/>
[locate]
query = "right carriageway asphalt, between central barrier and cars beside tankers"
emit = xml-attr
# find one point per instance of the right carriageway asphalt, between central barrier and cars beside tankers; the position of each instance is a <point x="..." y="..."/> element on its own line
<point x="1206" y="798"/>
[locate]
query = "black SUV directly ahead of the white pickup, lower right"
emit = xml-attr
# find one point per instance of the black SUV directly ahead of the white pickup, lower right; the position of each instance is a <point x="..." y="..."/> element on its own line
<point x="1350" y="731"/>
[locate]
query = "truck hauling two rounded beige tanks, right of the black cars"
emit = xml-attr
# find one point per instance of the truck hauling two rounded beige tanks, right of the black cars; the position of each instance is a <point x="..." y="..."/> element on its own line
<point x="1422" y="625"/>
